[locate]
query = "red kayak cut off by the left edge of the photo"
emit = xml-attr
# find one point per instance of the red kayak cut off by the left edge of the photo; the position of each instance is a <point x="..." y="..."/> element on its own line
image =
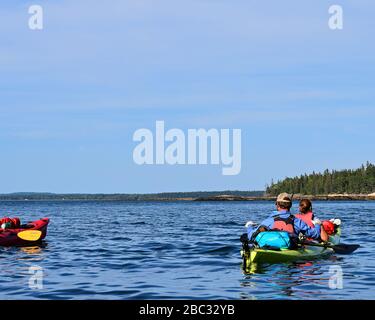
<point x="10" y="237"/>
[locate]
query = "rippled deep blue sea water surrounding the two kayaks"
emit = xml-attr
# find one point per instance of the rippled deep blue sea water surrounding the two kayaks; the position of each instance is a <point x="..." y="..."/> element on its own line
<point x="178" y="250"/>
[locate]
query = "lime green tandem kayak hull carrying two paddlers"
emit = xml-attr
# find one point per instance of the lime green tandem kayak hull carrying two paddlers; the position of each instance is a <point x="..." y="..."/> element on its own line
<point x="257" y="255"/>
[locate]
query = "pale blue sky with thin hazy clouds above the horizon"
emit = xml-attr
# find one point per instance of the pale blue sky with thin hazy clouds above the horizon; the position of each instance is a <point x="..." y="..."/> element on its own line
<point x="72" y="95"/>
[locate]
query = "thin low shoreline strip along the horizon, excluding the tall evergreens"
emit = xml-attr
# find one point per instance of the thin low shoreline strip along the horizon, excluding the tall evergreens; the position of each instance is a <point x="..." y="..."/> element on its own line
<point x="205" y="197"/>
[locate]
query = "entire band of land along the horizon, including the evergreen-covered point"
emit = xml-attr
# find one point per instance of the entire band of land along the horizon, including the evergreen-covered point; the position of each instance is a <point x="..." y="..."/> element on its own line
<point x="357" y="184"/>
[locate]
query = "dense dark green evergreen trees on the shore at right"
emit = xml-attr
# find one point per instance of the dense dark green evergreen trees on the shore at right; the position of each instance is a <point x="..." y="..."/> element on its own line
<point x="357" y="181"/>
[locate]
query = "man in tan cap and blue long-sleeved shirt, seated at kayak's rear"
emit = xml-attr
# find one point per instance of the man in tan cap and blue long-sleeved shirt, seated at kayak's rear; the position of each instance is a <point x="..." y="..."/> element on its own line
<point x="283" y="220"/>
